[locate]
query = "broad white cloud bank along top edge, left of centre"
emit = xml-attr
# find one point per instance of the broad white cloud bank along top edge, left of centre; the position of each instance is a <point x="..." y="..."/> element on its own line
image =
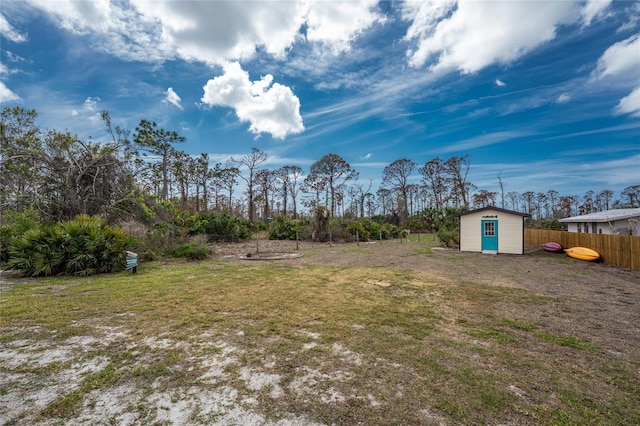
<point x="210" y="31"/>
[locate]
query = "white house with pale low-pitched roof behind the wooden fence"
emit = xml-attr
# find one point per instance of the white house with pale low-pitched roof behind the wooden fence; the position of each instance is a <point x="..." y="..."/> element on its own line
<point x="612" y="222"/>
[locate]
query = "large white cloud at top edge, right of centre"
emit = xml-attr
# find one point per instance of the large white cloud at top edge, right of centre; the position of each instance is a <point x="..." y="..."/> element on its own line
<point x="470" y="35"/>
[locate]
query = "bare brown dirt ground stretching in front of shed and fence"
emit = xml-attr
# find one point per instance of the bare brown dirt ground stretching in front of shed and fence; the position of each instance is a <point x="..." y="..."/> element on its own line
<point x="604" y="299"/>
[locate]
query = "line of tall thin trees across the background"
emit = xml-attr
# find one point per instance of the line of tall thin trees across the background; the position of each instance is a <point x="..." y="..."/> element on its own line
<point x="61" y="176"/>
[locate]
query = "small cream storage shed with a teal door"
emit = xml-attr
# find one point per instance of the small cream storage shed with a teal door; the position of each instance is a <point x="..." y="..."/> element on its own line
<point x="492" y="230"/>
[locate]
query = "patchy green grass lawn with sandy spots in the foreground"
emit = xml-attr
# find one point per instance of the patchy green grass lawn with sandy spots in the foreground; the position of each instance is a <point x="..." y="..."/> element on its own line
<point x="271" y="343"/>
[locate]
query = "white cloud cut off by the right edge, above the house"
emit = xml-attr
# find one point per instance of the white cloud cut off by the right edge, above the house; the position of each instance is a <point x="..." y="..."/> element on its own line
<point x="620" y="59"/>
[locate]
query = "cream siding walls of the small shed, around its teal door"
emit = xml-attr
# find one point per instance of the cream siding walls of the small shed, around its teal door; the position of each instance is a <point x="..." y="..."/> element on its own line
<point x="510" y="231"/>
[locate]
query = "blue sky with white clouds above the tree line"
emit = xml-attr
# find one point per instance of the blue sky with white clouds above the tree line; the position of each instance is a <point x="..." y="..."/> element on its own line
<point x="546" y="94"/>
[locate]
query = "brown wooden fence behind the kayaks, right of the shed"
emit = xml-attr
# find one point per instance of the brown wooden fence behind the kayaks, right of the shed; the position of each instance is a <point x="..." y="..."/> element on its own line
<point x="616" y="250"/>
